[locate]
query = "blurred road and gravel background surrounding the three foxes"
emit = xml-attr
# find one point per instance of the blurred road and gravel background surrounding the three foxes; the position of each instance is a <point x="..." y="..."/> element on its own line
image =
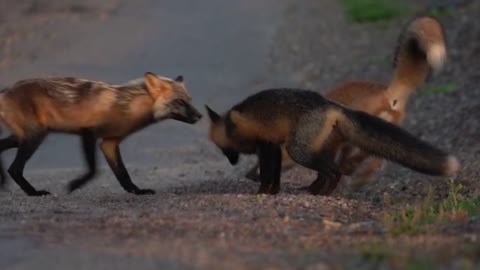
<point x="227" y="50"/>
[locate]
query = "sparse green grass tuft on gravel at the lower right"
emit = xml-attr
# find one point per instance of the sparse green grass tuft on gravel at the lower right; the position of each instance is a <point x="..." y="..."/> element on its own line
<point x="429" y="216"/>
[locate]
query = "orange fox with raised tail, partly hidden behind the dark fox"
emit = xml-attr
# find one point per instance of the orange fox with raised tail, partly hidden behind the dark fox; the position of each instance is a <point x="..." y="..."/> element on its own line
<point x="421" y="46"/>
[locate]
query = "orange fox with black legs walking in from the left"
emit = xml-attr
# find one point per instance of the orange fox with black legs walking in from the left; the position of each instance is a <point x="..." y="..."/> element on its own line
<point x="35" y="107"/>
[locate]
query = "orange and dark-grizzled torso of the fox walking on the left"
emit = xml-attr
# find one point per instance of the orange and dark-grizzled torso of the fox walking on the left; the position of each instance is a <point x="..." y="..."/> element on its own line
<point x="66" y="104"/>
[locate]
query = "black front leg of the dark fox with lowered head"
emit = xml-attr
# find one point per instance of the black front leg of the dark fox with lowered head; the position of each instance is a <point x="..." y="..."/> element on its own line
<point x="270" y="162"/>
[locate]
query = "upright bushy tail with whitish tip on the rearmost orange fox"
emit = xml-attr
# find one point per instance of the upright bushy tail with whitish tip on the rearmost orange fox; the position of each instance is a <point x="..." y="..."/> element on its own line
<point x="420" y="47"/>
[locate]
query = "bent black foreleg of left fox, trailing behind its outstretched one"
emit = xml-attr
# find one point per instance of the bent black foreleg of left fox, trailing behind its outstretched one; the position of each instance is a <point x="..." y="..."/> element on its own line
<point x="88" y="145"/>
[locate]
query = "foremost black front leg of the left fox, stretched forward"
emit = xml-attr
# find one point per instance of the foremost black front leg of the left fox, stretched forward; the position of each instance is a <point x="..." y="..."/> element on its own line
<point x="111" y="150"/>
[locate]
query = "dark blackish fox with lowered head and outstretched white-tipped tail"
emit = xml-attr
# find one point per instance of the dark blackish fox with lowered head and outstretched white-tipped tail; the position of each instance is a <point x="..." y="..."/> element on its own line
<point x="303" y="121"/>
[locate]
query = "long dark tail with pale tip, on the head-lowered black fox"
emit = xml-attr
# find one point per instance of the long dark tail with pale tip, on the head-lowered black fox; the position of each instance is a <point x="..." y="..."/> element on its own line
<point x="389" y="141"/>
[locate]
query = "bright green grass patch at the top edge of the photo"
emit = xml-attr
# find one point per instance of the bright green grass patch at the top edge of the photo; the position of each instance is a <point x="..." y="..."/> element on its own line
<point x="373" y="10"/>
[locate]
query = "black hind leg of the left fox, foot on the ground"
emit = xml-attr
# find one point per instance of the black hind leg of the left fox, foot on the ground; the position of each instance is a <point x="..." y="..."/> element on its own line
<point x="26" y="149"/>
